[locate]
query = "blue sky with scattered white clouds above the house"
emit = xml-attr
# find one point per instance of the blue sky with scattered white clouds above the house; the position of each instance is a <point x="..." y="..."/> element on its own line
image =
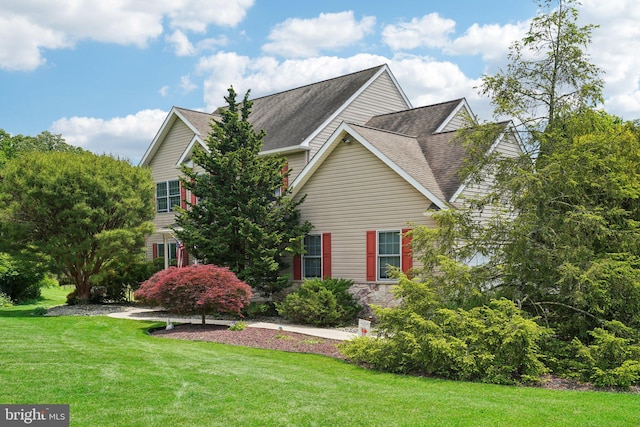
<point x="104" y="74"/>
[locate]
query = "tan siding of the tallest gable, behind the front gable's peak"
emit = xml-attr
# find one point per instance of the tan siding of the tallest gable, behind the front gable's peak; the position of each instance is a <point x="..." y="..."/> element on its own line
<point x="381" y="97"/>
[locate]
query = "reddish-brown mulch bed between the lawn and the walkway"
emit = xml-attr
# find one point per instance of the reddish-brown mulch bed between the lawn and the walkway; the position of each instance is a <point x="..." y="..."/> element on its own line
<point x="254" y="337"/>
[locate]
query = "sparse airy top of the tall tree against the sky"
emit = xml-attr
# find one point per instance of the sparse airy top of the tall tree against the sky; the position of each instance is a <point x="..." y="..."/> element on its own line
<point x="549" y="74"/>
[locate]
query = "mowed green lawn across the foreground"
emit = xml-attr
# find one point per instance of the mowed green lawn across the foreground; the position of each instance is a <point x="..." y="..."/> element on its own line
<point x="113" y="374"/>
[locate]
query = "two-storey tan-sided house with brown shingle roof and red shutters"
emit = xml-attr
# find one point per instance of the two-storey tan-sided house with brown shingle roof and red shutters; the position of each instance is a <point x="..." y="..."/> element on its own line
<point x="369" y="164"/>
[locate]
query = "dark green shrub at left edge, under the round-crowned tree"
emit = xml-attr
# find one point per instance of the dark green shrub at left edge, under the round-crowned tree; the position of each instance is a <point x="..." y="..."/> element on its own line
<point x="20" y="280"/>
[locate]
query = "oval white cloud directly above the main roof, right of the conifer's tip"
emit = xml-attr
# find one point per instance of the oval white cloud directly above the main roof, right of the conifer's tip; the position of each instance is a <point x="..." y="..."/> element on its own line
<point x="296" y="38"/>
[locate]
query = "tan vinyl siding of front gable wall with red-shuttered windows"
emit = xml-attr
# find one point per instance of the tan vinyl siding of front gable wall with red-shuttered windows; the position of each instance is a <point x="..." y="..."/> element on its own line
<point x="354" y="192"/>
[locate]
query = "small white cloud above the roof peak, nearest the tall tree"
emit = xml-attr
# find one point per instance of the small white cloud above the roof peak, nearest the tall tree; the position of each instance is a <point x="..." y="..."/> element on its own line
<point x="431" y="31"/>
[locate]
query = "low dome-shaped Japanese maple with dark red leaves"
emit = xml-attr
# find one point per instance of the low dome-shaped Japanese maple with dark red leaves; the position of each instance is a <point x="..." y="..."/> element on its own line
<point x="196" y="289"/>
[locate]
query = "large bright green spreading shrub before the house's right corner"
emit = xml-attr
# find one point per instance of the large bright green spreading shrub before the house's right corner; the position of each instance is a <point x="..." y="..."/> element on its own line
<point x="492" y="343"/>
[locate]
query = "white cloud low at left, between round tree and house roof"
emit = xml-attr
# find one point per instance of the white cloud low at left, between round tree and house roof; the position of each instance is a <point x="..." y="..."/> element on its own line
<point x="126" y="137"/>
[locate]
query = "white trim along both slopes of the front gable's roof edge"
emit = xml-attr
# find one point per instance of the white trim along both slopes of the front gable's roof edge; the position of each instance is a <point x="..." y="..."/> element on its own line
<point x="330" y="145"/>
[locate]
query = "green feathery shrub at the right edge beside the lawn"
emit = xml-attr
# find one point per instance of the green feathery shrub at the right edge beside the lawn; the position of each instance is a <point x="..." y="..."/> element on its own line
<point x="612" y="359"/>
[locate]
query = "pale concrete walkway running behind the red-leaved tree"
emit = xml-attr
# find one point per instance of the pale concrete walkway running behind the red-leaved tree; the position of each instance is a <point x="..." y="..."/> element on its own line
<point x="162" y="316"/>
